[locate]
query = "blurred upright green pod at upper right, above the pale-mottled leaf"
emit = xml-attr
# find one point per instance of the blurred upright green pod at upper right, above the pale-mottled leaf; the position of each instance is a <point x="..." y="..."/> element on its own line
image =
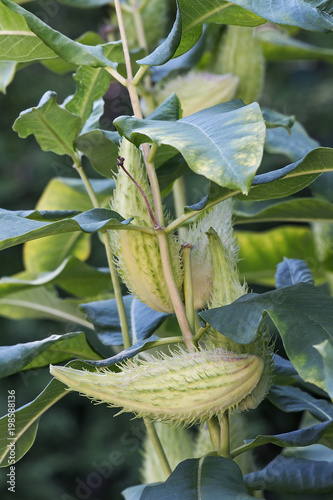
<point x="241" y="55"/>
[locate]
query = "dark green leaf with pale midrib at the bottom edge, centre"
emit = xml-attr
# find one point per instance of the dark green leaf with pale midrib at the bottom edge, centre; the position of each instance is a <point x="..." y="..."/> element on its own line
<point x="205" y="478"/>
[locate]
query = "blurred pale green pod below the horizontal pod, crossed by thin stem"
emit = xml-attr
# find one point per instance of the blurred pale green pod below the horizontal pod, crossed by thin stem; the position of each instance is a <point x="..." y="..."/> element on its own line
<point x="177" y="443"/>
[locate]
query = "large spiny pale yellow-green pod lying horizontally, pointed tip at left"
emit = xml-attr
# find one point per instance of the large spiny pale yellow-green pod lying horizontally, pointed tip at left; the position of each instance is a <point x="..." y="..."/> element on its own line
<point x="184" y="388"/>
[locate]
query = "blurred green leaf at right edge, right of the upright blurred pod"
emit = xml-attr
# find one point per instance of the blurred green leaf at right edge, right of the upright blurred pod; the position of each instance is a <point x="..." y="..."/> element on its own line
<point x="278" y="46"/>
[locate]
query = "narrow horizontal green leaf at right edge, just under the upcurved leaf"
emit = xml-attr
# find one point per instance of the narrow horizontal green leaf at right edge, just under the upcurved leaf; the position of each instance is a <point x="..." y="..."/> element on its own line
<point x="293" y="210"/>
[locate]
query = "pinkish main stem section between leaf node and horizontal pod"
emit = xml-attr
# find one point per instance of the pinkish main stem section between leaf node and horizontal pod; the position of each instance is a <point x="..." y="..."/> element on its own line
<point x="173" y="289"/>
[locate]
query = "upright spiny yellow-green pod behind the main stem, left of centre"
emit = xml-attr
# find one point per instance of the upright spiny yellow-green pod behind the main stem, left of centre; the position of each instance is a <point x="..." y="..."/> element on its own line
<point x="138" y="257"/>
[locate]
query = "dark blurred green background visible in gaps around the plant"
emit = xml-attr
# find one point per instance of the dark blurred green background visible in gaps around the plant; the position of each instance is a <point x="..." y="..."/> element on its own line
<point x="81" y="452"/>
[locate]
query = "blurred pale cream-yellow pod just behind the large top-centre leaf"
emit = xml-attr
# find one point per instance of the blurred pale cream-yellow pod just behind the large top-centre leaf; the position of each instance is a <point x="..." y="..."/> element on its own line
<point x="197" y="91"/>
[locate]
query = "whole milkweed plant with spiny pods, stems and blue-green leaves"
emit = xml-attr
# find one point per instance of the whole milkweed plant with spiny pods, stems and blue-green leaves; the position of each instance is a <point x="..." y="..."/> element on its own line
<point x="195" y="88"/>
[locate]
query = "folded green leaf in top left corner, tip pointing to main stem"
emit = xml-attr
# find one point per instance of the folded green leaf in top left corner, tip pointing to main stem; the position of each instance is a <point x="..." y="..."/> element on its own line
<point x="26" y="36"/>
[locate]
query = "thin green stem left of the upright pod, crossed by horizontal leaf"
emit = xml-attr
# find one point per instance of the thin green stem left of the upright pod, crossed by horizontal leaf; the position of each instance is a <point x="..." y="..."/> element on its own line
<point x="114" y="276"/>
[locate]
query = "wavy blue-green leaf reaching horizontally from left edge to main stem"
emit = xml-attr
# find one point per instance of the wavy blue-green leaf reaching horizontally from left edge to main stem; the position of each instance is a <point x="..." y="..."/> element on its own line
<point x="15" y="229"/>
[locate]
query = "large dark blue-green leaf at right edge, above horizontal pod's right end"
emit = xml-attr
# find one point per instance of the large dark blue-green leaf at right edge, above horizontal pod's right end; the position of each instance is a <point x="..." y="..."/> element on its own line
<point x="302" y="314"/>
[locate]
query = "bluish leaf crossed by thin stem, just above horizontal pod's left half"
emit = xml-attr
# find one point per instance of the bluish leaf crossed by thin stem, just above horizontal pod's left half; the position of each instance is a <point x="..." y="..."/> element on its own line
<point x="142" y="320"/>
